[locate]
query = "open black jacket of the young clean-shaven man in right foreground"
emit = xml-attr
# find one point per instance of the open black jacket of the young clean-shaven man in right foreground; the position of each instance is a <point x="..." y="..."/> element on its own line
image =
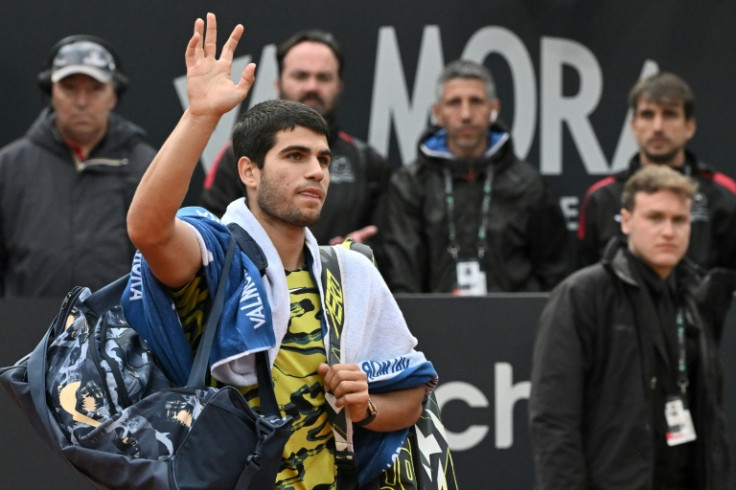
<point x="591" y="399"/>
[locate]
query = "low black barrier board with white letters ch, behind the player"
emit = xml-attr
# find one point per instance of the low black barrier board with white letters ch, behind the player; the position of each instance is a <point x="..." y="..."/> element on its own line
<point x="481" y="348"/>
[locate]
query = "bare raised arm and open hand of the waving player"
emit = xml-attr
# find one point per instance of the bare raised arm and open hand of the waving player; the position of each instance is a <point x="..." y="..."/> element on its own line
<point x="169" y="246"/>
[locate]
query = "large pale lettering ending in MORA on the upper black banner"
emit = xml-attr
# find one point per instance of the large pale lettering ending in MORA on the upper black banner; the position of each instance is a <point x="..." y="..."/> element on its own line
<point x="395" y="108"/>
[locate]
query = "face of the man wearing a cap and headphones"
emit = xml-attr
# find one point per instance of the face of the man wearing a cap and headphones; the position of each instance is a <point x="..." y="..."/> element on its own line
<point x="82" y="105"/>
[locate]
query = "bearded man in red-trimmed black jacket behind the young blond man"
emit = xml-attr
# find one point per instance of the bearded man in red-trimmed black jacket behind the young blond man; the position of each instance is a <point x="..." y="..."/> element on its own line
<point x="663" y="122"/>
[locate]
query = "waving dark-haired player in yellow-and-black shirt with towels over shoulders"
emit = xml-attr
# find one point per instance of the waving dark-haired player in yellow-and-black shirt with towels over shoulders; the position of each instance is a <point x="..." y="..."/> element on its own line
<point x="278" y="305"/>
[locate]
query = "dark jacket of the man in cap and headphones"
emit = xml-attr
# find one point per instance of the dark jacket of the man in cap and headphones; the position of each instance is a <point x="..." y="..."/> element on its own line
<point x="63" y="222"/>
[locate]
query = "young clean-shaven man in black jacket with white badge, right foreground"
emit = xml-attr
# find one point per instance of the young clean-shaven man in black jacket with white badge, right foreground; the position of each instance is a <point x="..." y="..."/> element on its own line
<point x="626" y="377"/>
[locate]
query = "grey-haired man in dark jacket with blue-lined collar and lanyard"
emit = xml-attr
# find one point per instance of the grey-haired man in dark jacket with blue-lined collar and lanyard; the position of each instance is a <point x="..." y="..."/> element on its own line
<point x="468" y="216"/>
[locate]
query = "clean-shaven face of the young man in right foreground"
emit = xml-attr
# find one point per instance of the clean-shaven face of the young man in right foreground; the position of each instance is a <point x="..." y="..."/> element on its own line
<point x="658" y="229"/>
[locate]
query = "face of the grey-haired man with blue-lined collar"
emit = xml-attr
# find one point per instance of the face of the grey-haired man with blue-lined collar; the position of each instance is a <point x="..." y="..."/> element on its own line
<point x="464" y="112"/>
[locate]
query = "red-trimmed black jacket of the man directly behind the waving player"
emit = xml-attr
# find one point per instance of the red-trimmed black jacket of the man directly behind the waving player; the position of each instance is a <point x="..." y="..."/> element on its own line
<point x="358" y="178"/>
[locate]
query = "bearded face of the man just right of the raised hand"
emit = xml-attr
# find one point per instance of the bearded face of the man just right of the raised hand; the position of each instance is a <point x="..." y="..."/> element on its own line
<point x="310" y="76"/>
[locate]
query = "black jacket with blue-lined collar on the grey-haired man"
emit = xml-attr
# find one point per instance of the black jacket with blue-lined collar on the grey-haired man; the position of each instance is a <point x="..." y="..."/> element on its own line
<point x="526" y="245"/>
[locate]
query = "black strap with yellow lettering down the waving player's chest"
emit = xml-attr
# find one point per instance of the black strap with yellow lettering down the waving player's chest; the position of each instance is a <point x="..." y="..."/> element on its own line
<point x="342" y="428"/>
